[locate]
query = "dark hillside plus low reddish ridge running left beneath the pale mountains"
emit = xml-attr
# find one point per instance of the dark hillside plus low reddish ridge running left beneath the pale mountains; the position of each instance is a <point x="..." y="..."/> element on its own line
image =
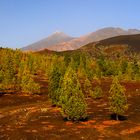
<point x="123" y="45"/>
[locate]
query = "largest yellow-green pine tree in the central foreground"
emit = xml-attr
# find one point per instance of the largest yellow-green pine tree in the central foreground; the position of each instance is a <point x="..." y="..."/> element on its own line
<point x="72" y="99"/>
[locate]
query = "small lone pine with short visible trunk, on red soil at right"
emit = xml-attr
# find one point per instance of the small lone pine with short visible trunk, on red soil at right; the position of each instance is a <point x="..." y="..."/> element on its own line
<point x="117" y="98"/>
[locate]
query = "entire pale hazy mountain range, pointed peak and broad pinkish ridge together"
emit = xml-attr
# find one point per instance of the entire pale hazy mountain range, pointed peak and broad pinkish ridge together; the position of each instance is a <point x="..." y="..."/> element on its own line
<point x="62" y="42"/>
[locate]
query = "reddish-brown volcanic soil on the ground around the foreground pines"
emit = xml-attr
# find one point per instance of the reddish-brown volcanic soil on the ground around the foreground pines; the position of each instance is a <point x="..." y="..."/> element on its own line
<point x="32" y="117"/>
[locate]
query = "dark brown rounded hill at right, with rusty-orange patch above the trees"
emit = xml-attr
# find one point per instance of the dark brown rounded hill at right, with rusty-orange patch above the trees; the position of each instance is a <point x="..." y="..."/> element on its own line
<point x="124" y="44"/>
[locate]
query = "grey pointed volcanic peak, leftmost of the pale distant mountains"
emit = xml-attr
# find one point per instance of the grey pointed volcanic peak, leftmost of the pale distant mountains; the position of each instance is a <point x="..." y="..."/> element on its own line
<point x="53" y="39"/>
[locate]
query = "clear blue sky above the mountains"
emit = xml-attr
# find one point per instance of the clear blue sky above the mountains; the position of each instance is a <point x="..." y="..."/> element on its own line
<point x="23" y="22"/>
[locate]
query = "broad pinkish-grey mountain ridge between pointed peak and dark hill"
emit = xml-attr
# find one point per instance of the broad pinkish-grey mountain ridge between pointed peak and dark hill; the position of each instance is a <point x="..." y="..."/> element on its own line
<point x="92" y="37"/>
